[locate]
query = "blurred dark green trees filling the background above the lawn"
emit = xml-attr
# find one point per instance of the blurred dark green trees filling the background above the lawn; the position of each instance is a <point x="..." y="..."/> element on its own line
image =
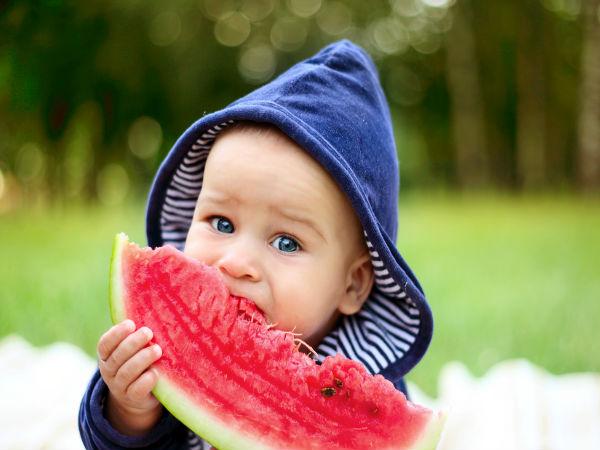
<point x="484" y="94"/>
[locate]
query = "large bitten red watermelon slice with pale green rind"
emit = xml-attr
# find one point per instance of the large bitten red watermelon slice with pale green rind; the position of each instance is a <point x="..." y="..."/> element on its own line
<point x="241" y="384"/>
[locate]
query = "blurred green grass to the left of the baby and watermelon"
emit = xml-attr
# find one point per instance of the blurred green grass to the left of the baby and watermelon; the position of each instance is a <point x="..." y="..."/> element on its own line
<point x="54" y="276"/>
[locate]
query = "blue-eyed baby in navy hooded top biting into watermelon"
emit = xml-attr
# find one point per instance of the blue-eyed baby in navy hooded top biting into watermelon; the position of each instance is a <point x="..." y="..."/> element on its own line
<point x="291" y="193"/>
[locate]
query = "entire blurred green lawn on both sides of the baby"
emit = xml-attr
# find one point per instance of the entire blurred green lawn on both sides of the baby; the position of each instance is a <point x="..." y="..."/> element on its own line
<point x="506" y="277"/>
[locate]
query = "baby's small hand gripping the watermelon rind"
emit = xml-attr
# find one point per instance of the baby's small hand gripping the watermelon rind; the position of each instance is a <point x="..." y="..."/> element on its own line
<point x="125" y="362"/>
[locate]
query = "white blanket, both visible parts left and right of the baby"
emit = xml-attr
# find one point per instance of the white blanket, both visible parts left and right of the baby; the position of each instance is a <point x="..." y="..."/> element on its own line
<point x="515" y="406"/>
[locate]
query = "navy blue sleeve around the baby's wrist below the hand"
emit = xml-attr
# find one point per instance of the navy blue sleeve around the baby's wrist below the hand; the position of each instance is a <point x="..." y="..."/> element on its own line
<point x="98" y="434"/>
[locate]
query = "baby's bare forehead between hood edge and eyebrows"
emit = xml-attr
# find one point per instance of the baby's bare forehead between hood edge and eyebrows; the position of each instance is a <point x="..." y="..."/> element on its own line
<point x="268" y="164"/>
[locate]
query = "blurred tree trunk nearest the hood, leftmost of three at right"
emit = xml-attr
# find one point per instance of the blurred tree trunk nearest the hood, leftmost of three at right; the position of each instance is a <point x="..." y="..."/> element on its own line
<point x="468" y="121"/>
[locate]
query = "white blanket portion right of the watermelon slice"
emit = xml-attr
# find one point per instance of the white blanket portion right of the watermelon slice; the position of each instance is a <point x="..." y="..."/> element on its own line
<point x="516" y="406"/>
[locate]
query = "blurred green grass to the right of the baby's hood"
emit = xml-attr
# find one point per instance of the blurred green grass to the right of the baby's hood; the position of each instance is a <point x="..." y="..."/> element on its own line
<point x="507" y="278"/>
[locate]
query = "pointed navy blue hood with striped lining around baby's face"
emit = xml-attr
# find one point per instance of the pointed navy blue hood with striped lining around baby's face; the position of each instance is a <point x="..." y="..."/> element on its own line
<point x="333" y="106"/>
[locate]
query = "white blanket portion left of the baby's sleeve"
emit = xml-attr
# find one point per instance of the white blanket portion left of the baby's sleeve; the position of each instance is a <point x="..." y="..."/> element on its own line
<point x="40" y="391"/>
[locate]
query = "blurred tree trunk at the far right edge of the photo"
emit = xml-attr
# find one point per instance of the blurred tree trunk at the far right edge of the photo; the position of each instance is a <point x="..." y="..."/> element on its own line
<point x="589" y="98"/>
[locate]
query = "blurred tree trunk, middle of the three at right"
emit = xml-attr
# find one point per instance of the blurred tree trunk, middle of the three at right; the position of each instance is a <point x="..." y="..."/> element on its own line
<point x="531" y="117"/>
